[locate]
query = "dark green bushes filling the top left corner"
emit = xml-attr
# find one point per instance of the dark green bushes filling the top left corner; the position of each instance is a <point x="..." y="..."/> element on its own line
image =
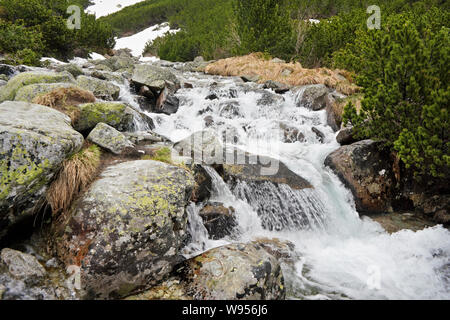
<point x="33" y="28"/>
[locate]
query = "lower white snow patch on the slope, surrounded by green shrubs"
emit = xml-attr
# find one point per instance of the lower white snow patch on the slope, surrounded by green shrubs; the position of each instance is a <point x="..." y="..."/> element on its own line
<point x="138" y="41"/>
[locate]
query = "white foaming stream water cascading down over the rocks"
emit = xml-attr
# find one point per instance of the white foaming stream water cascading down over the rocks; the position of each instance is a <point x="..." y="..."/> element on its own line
<point x="341" y="255"/>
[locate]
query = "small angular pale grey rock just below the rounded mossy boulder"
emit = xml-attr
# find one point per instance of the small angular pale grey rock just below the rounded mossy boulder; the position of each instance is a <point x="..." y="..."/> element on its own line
<point x="110" y="139"/>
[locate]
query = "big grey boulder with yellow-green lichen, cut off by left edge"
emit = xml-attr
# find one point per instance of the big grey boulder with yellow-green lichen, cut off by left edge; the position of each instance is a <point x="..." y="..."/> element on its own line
<point x="34" y="141"/>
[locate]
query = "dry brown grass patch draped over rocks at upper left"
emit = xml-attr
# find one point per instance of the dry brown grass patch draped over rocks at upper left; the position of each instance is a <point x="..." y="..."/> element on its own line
<point x="66" y="100"/>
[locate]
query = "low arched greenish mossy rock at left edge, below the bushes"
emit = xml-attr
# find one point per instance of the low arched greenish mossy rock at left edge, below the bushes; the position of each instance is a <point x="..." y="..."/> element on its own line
<point x="9" y="91"/>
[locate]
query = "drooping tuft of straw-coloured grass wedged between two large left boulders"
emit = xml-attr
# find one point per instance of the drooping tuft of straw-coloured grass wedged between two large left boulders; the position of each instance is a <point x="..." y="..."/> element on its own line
<point x="76" y="174"/>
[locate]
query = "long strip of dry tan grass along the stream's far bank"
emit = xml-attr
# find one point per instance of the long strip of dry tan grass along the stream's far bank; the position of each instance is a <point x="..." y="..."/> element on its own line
<point x="255" y="64"/>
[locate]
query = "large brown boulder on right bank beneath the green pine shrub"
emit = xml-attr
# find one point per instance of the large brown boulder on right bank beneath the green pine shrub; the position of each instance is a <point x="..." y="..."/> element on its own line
<point x="367" y="170"/>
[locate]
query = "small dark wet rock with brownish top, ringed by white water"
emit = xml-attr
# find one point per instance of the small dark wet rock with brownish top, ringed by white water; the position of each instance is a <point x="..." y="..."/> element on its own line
<point x="218" y="220"/>
